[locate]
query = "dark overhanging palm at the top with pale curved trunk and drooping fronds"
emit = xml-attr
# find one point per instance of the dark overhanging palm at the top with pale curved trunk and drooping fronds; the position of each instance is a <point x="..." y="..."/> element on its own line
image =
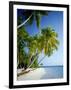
<point x="30" y="15"/>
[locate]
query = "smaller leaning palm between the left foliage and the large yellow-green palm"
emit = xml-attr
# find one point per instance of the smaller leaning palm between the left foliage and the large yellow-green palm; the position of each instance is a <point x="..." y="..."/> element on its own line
<point x="33" y="51"/>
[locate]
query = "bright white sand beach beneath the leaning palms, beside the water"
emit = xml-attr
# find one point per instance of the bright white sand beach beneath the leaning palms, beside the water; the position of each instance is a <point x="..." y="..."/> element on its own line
<point x="32" y="75"/>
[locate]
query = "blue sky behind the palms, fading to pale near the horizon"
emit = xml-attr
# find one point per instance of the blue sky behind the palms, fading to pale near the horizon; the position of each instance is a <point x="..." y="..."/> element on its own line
<point x="55" y="20"/>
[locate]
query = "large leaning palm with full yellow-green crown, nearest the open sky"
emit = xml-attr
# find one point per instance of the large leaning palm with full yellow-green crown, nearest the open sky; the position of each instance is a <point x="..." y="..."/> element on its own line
<point x="48" y="42"/>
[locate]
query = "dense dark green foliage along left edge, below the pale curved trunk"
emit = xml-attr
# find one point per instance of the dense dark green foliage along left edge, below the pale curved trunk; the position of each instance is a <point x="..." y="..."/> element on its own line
<point x="22" y="36"/>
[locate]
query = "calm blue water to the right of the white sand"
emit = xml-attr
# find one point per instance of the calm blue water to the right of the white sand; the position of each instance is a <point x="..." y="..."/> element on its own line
<point x="53" y="72"/>
